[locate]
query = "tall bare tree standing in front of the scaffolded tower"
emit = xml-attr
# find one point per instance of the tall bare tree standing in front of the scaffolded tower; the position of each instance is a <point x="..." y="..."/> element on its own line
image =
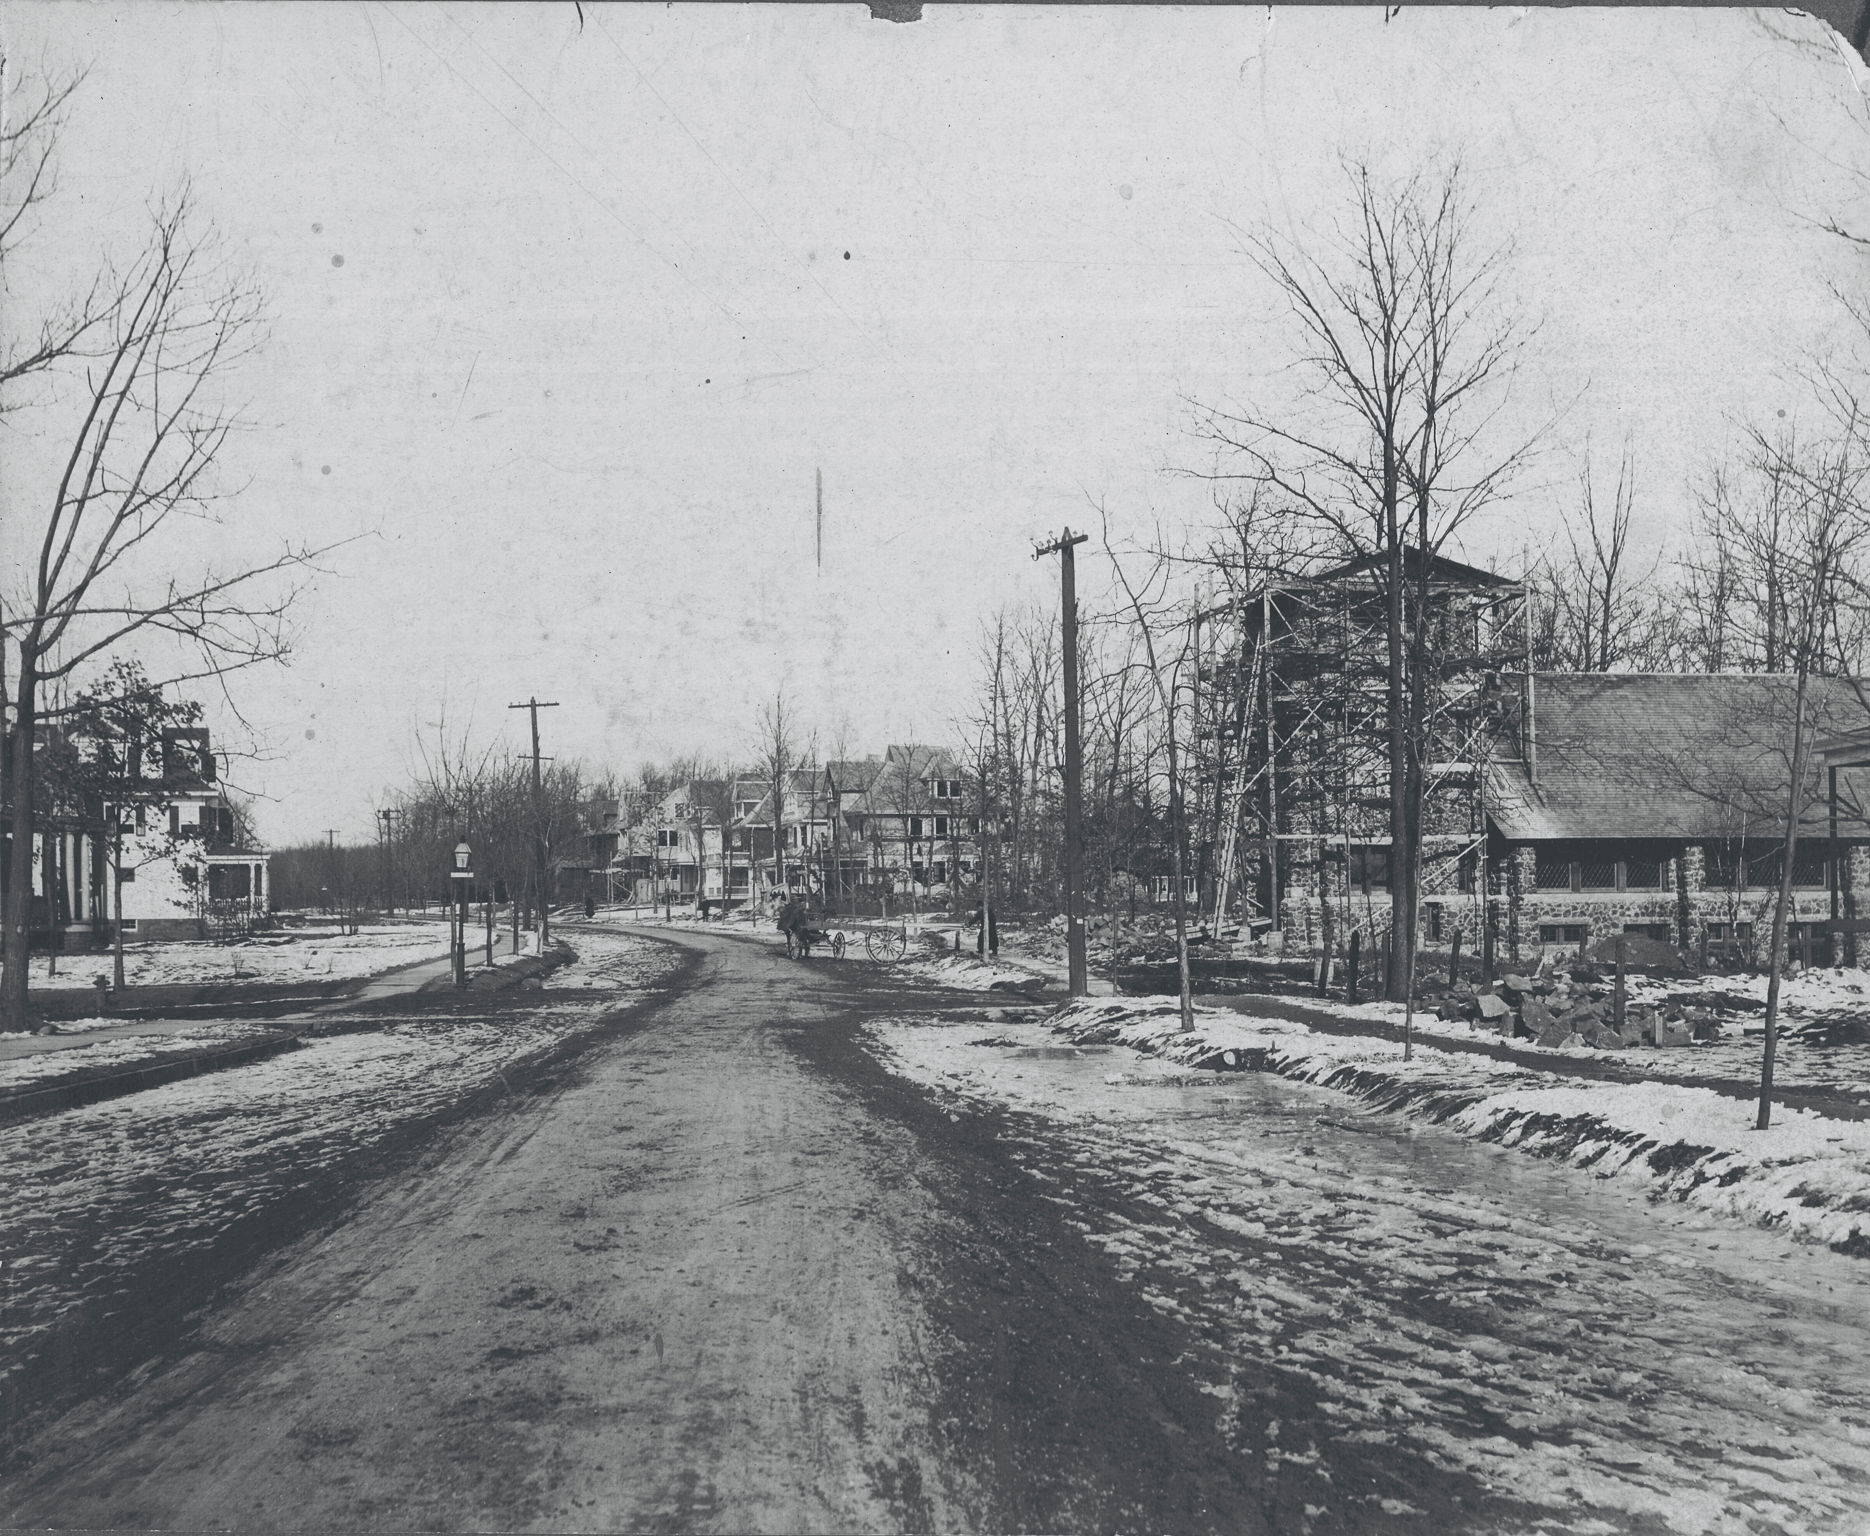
<point x="1409" y="353"/>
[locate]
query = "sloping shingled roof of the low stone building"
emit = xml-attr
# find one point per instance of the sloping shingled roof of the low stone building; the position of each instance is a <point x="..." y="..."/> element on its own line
<point x="1667" y="757"/>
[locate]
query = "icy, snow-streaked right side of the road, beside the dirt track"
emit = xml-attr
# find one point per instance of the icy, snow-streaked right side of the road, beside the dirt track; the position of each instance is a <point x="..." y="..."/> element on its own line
<point x="1360" y="1290"/>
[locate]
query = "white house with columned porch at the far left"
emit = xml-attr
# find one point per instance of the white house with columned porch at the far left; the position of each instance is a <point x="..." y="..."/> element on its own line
<point x="169" y="848"/>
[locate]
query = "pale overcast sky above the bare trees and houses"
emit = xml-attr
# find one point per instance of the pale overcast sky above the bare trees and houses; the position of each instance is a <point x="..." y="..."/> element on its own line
<point x="568" y="313"/>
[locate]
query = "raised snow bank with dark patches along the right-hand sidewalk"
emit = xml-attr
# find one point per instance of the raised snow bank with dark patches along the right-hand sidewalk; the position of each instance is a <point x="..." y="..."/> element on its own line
<point x="1807" y="1176"/>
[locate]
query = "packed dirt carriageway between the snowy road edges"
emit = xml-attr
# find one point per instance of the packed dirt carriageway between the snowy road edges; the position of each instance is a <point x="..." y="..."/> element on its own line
<point x="715" y="1282"/>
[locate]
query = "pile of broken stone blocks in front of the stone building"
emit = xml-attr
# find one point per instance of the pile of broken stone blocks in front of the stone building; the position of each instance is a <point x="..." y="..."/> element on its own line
<point x="1570" y="1007"/>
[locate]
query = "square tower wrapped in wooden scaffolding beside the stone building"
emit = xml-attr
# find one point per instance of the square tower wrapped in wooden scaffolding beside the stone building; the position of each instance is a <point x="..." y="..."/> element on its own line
<point x="1295" y="746"/>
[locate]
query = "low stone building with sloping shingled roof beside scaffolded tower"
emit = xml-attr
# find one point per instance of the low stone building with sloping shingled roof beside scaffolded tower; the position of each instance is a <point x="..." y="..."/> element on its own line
<point x="1648" y="805"/>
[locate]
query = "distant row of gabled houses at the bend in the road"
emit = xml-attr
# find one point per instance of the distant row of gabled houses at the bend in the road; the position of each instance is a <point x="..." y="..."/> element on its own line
<point x="878" y="833"/>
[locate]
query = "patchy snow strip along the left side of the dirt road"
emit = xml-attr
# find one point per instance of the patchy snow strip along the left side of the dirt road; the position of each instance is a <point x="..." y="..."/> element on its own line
<point x="139" y="1193"/>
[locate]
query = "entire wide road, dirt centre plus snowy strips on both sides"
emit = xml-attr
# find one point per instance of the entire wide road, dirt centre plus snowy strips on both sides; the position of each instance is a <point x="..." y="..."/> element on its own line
<point x="809" y="1249"/>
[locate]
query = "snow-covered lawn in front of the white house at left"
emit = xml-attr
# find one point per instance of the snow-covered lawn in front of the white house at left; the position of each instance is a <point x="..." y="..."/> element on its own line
<point x="306" y="955"/>
